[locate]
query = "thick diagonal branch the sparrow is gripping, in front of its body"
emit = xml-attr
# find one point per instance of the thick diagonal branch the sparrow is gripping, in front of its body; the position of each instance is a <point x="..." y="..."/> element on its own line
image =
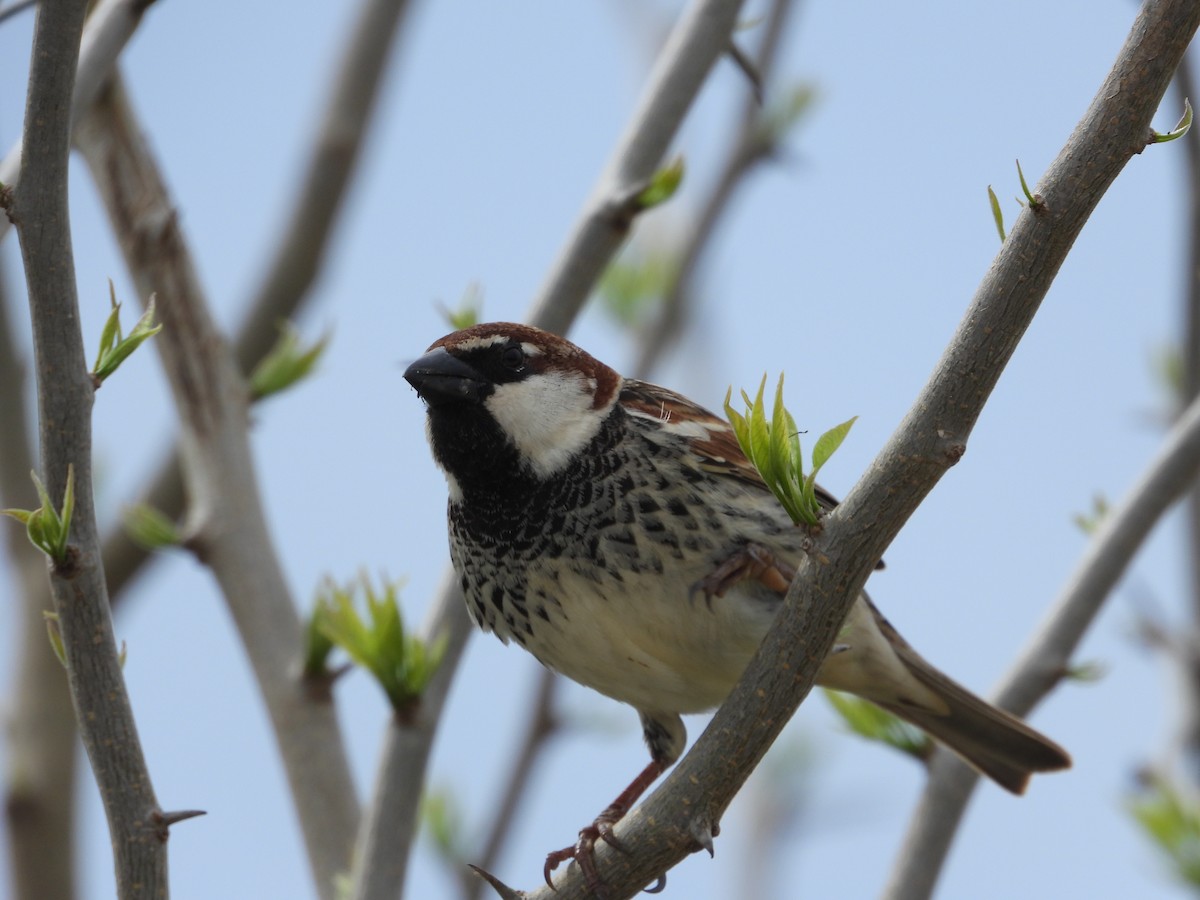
<point x="687" y="808"/>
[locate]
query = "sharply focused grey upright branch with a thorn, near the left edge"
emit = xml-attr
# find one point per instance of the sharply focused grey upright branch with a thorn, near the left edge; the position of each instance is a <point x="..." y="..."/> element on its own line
<point x="65" y="398"/>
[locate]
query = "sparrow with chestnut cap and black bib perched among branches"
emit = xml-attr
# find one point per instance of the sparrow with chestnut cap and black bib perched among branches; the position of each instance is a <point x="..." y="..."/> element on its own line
<point x="616" y="531"/>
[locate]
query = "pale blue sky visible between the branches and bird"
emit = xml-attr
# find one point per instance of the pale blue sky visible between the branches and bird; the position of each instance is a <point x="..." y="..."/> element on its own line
<point x="848" y="266"/>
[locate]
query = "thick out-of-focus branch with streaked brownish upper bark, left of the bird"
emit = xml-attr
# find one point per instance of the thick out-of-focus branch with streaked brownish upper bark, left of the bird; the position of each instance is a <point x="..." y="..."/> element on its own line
<point x="226" y="526"/>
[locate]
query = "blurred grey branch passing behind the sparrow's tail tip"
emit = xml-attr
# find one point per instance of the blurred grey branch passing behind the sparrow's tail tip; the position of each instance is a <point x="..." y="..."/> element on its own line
<point x="1041" y="668"/>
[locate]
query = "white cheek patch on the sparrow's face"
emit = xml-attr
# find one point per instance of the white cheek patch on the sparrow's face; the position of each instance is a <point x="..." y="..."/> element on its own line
<point x="549" y="417"/>
